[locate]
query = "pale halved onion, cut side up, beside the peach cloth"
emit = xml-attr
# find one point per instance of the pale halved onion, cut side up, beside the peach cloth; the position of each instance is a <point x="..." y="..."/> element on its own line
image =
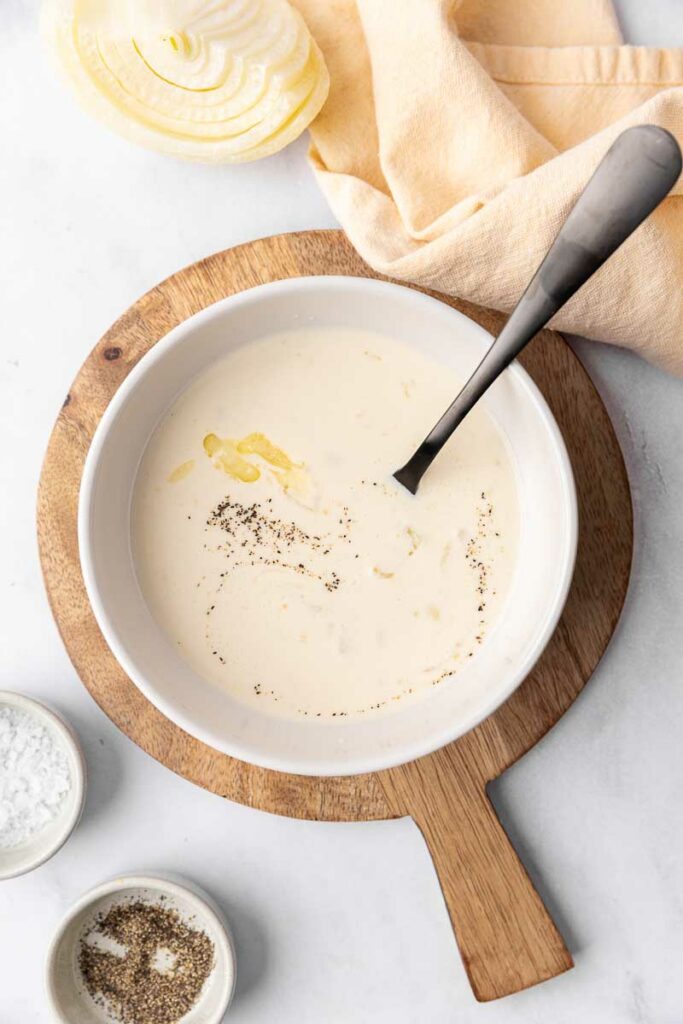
<point x="207" y="80"/>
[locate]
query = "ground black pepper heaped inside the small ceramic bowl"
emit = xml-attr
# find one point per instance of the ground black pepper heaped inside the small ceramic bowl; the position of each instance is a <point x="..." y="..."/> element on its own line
<point x="159" y="977"/>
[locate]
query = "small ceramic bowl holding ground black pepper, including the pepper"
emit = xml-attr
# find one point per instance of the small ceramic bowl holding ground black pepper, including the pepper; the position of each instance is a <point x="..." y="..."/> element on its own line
<point x="145" y="950"/>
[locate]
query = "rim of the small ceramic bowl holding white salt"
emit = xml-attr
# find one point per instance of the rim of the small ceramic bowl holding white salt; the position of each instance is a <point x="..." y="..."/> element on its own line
<point x="79" y="779"/>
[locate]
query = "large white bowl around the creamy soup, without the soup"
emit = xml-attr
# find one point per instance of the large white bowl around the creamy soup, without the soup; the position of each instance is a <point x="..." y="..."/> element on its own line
<point x="547" y="546"/>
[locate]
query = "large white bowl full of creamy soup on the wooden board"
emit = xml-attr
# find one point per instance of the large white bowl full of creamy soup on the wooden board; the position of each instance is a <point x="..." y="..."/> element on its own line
<point x="262" y="577"/>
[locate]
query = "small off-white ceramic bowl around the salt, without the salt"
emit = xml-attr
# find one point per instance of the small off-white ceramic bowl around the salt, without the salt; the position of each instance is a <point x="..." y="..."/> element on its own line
<point x="46" y="843"/>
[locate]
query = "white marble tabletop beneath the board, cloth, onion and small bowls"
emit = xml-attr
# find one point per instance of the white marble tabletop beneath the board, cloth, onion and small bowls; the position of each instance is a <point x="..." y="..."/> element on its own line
<point x="334" y="924"/>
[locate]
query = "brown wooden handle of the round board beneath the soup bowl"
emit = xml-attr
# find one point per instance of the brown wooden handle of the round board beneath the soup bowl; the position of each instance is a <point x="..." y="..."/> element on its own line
<point x="506" y="937"/>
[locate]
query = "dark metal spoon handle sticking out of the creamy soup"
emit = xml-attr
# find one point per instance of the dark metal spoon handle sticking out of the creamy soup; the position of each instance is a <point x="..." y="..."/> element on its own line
<point x="636" y="174"/>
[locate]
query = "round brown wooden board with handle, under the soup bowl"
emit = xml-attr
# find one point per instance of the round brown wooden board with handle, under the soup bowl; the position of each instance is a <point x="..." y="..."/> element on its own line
<point x="506" y="937"/>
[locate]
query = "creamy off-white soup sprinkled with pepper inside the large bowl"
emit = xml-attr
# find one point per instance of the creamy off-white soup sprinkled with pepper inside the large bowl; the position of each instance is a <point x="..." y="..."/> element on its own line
<point x="280" y="557"/>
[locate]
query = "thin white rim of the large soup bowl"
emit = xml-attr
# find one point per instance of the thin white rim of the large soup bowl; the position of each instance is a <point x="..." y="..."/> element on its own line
<point x="332" y="767"/>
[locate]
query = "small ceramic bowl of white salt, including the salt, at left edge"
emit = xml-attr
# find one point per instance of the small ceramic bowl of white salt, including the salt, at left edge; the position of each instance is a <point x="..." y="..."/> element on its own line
<point x="42" y="784"/>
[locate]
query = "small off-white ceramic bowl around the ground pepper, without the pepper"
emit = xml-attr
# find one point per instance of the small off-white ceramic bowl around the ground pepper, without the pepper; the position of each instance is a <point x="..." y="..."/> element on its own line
<point x="68" y="998"/>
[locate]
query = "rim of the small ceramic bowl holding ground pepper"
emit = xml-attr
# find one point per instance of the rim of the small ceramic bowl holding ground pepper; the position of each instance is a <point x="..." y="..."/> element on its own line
<point x="203" y="905"/>
